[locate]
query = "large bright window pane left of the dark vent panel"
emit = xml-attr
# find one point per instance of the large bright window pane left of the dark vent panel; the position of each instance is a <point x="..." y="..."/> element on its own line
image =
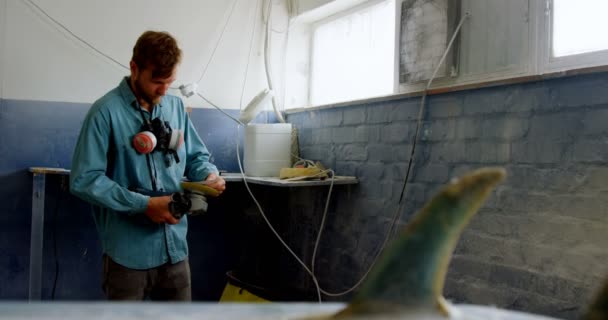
<point x="353" y="56"/>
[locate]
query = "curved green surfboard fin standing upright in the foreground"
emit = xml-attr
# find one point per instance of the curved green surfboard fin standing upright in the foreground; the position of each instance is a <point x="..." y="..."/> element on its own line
<point x="410" y="273"/>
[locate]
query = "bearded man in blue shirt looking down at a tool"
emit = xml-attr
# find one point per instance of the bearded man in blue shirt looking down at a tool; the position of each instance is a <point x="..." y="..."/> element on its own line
<point x="145" y="253"/>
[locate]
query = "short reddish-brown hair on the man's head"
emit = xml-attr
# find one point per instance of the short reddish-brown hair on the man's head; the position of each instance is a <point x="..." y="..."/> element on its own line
<point x="157" y="50"/>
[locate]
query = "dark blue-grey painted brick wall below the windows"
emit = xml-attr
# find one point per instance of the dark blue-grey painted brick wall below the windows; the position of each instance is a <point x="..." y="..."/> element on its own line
<point x="540" y="243"/>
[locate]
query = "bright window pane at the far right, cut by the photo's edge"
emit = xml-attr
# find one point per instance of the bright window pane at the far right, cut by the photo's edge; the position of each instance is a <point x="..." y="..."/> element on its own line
<point x="579" y="26"/>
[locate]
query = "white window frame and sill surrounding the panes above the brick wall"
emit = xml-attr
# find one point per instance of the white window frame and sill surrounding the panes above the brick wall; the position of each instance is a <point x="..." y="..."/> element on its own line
<point x="537" y="62"/>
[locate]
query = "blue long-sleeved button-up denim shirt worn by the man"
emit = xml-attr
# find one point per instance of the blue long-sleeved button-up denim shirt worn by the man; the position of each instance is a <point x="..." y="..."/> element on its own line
<point x="106" y="167"/>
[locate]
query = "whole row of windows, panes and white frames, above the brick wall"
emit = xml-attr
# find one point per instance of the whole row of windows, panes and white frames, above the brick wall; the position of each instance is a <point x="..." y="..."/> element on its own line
<point x="350" y="54"/>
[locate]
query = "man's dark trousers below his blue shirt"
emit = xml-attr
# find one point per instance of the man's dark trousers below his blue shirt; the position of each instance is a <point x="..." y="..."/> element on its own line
<point x="169" y="282"/>
